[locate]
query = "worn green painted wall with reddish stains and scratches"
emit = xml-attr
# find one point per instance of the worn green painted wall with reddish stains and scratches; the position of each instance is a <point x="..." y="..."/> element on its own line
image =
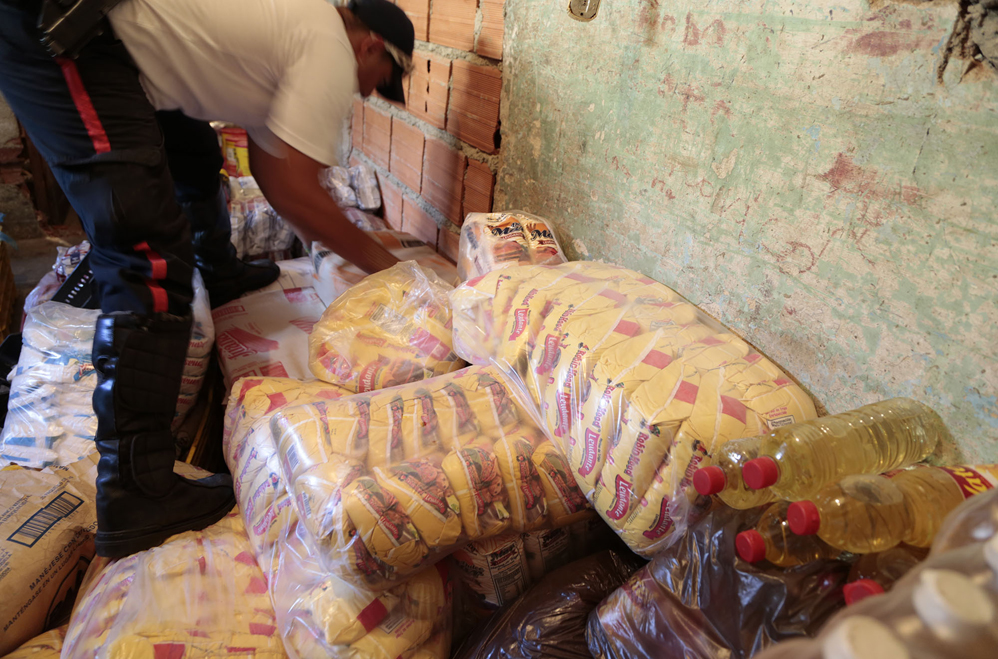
<point x="794" y="169"/>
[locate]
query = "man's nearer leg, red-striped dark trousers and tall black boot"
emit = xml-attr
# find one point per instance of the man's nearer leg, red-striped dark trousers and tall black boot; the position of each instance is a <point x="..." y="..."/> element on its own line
<point x="91" y="121"/>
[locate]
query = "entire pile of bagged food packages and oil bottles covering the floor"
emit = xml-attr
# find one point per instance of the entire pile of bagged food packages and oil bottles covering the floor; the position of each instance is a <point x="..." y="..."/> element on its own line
<point x="511" y="456"/>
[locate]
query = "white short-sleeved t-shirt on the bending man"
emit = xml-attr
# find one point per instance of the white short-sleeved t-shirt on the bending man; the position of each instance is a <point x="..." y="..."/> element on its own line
<point x="274" y="67"/>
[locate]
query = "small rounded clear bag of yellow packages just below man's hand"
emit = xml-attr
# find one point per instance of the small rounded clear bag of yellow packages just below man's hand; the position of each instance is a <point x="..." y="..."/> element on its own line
<point x="392" y="328"/>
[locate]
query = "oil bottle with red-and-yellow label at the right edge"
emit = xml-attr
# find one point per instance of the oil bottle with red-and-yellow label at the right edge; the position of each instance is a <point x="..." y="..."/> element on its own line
<point x="863" y="514"/>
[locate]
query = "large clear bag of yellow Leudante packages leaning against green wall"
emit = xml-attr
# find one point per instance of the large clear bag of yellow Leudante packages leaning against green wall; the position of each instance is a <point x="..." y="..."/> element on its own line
<point x="636" y="386"/>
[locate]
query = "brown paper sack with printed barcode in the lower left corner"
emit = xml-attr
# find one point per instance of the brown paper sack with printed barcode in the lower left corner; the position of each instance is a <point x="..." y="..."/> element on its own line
<point x="47" y="526"/>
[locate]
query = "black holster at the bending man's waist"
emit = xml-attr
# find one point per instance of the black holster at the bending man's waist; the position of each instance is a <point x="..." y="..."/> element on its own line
<point x="68" y="25"/>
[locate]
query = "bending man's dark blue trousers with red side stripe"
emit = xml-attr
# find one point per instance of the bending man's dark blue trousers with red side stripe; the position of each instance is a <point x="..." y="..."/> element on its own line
<point x="125" y="168"/>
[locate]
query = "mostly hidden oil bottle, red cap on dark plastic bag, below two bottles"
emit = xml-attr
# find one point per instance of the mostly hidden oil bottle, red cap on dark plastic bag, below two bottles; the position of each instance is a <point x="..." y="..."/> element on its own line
<point x="773" y="540"/>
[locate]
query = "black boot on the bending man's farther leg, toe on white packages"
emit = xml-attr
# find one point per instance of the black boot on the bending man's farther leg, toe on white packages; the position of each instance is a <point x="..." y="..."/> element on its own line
<point x="214" y="255"/>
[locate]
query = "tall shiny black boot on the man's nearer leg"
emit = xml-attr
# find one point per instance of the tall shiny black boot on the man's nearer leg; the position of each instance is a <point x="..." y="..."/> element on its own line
<point x="140" y="501"/>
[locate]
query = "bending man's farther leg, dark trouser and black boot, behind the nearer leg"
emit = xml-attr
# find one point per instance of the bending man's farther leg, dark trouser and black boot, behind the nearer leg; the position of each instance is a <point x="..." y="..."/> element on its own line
<point x="195" y="161"/>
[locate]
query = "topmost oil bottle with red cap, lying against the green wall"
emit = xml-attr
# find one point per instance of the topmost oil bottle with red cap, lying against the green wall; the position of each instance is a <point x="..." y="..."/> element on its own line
<point x="796" y="461"/>
